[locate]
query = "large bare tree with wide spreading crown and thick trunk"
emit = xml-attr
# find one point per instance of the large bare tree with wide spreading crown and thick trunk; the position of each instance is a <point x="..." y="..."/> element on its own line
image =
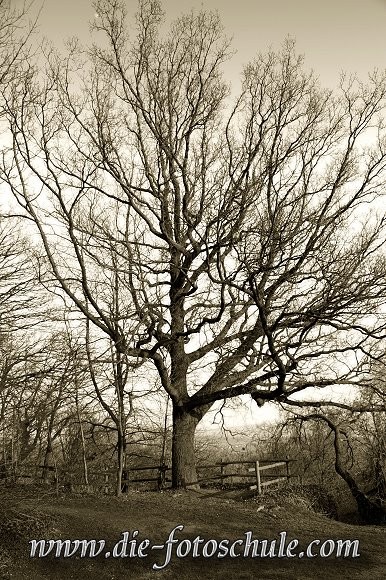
<point x="244" y="232"/>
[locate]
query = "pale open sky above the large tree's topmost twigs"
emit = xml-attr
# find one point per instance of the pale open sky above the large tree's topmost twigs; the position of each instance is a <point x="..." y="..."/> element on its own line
<point x="334" y="35"/>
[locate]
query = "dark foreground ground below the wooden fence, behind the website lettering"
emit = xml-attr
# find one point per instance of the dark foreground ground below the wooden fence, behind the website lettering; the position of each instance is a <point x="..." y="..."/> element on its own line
<point x="29" y="514"/>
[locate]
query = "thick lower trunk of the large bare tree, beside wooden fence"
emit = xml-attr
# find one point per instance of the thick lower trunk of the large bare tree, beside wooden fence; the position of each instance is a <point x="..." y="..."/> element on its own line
<point x="184" y="473"/>
